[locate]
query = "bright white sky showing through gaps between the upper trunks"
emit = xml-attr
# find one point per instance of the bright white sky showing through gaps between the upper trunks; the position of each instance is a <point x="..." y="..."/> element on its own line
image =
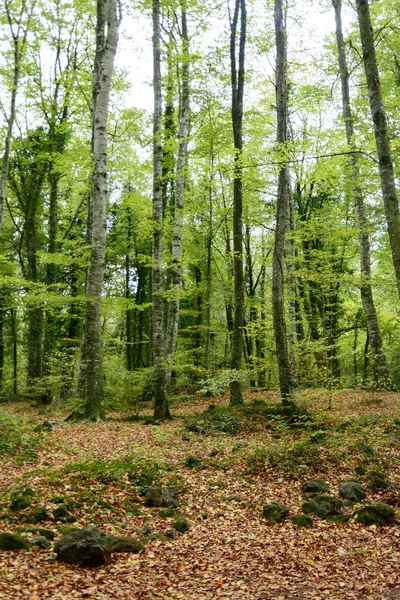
<point x="309" y="24"/>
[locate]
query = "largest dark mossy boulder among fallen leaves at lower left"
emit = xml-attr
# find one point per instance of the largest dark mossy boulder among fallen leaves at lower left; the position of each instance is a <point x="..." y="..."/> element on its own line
<point x="87" y="547"/>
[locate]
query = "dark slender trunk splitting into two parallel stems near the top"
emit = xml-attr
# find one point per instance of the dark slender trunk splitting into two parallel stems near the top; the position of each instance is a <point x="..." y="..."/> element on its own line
<point x="237" y="87"/>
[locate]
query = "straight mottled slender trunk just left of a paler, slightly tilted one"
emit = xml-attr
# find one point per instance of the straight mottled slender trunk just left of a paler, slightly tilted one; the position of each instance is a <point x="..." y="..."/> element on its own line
<point x="161" y="410"/>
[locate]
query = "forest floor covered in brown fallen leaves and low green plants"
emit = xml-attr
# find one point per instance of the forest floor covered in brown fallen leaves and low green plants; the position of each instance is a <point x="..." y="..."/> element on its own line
<point x="225" y="470"/>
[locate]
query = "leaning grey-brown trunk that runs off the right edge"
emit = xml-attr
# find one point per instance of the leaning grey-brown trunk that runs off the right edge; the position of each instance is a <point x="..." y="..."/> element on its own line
<point x="388" y="184"/>
